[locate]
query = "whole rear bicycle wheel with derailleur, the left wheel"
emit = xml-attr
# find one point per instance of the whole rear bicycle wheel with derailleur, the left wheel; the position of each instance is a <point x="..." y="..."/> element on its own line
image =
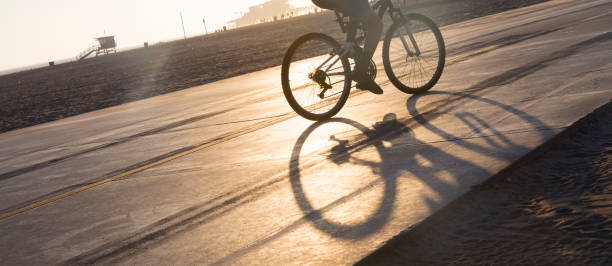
<point x="316" y="80"/>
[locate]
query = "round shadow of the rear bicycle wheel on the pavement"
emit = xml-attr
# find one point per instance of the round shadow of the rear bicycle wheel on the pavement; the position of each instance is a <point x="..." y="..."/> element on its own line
<point x="340" y="154"/>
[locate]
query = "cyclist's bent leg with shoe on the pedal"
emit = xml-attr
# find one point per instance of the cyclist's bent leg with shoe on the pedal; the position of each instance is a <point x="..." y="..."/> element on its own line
<point x="361" y="11"/>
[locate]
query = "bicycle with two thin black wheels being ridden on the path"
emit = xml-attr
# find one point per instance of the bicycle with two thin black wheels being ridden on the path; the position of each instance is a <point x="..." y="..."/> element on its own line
<point x="317" y="88"/>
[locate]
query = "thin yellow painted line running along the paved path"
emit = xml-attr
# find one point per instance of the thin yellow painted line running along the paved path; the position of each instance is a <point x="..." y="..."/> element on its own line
<point x="203" y="146"/>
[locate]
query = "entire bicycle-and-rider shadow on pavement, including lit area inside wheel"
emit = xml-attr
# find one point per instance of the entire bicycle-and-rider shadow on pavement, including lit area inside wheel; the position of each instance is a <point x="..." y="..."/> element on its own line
<point x="355" y="196"/>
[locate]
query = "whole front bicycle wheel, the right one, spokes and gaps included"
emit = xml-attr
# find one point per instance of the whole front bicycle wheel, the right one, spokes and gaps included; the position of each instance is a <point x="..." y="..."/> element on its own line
<point x="414" y="69"/>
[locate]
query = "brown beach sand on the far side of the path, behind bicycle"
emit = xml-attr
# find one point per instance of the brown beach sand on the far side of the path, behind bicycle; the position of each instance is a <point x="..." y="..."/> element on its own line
<point x="42" y="95"/>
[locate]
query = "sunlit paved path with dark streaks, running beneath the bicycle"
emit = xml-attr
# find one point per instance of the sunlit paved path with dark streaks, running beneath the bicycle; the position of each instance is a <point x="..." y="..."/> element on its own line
<point x="226" y="173"/>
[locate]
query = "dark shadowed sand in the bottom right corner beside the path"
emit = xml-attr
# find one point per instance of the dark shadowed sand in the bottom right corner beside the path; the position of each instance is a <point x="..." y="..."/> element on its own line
<point x="555" y="209"/>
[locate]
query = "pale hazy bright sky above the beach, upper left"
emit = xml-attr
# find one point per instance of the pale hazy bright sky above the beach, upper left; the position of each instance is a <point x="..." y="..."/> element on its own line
<point x="38" y="31"/>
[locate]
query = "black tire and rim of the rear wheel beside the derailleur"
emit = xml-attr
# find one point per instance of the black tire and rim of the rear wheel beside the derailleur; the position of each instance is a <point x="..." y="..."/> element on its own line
<point x="317" y="111"/>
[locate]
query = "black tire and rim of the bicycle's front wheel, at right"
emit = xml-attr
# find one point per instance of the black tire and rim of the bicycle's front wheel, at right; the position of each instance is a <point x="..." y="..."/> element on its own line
<point x="431" y="80"/>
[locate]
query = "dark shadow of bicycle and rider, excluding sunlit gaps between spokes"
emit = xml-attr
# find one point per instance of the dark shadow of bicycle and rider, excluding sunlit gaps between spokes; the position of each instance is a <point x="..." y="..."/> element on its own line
<point x="402" y="155"/>
